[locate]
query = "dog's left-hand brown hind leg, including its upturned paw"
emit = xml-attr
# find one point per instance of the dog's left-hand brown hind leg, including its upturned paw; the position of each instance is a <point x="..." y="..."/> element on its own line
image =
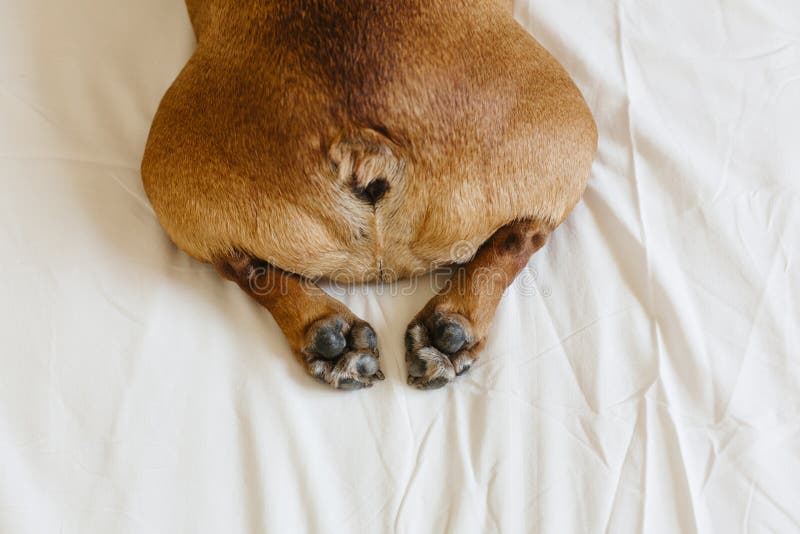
<point x="333" y="344"/>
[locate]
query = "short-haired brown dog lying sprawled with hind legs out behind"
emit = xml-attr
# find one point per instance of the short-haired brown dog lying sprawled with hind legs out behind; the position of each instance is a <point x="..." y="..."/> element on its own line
<point x="364" y="140"/>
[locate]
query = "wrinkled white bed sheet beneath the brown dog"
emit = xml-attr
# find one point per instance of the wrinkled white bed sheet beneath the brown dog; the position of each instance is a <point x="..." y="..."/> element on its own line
<point x="643" y="376"/>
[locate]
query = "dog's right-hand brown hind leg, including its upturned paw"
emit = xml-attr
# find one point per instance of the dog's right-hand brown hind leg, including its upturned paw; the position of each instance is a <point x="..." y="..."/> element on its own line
<point x="444" y="339"/>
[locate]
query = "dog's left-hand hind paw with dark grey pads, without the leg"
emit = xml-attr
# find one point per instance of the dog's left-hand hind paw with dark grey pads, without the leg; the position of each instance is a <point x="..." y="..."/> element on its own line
<point x="342" y="353"/>
